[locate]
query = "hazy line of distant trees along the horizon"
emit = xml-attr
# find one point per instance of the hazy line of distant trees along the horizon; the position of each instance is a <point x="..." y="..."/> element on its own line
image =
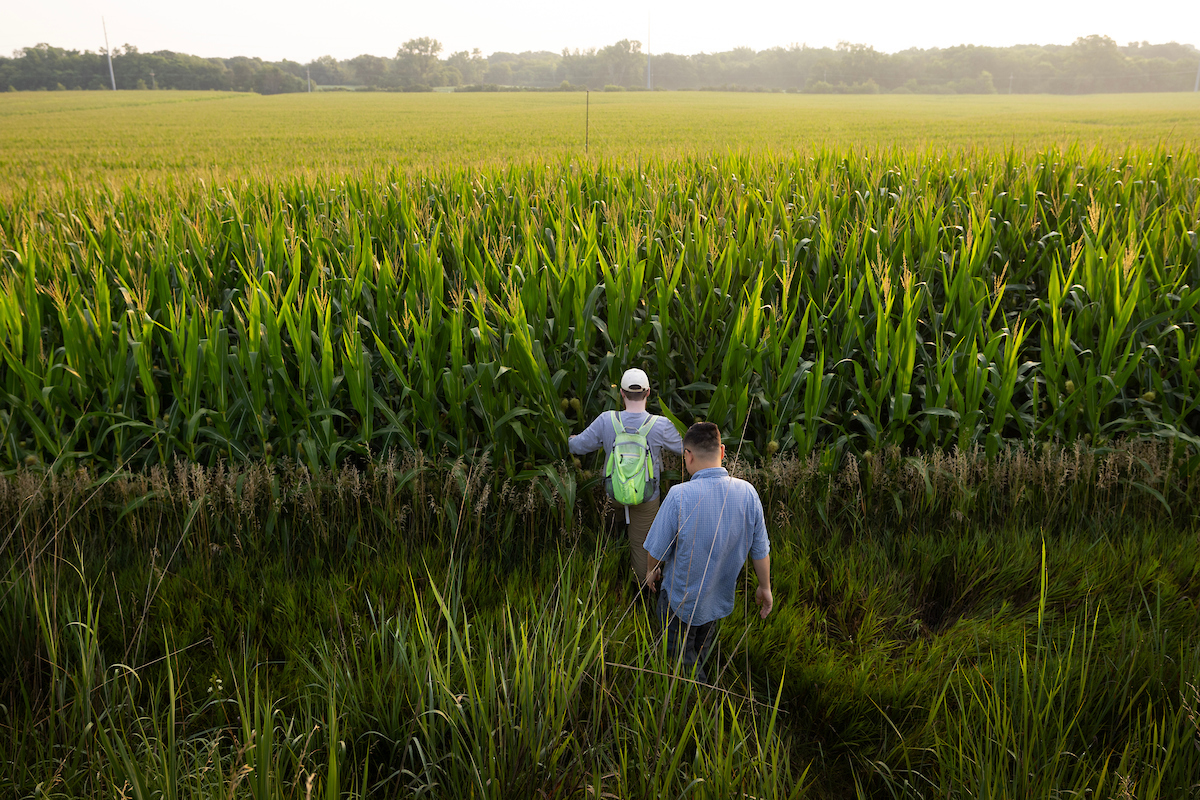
<point x="1093" y="64"/>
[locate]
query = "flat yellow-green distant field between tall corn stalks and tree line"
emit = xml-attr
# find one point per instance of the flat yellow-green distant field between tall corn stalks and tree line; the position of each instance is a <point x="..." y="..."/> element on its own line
<point x="51" y="139"/>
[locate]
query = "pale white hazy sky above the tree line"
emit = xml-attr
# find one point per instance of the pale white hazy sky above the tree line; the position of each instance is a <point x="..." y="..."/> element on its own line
<point x="305" y="29"/>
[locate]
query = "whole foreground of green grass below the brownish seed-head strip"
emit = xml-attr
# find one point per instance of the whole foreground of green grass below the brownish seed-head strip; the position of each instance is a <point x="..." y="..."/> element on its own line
<point x="895" y="665"/>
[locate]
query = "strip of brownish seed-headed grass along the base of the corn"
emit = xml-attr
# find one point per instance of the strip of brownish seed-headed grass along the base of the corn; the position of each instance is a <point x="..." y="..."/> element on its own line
<point x="208" y="516"/>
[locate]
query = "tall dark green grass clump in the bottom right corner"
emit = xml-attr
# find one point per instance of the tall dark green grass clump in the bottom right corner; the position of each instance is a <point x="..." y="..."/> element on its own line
<point x="1067" y="714"/>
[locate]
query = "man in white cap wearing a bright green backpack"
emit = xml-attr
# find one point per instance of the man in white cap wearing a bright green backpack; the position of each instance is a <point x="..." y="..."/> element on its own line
<point x="658" y="432"/>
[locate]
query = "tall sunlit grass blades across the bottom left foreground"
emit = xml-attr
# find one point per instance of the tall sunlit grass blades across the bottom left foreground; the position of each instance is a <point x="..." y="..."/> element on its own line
<point x="427" y="700"/>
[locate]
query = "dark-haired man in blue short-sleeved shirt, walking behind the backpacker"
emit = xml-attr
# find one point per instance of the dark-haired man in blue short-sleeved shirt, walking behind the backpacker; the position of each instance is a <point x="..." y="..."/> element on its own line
<point x="698" y="546"/>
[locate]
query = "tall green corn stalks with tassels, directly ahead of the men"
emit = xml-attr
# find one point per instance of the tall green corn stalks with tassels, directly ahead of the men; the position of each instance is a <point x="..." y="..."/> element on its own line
<point x="826" y="303"/>
